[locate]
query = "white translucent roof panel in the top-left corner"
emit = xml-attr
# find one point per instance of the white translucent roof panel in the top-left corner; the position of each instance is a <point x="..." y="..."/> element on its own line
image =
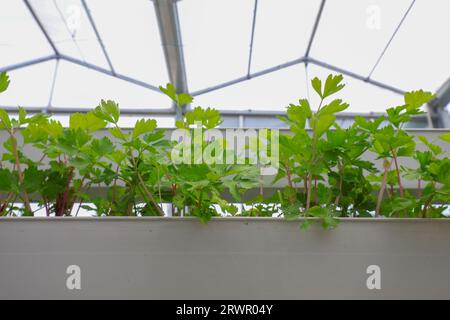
<point x="20" y="37"/>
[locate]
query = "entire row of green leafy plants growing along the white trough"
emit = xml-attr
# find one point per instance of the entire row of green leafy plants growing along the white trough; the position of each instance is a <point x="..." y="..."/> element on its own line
<point x="321" y="162"/>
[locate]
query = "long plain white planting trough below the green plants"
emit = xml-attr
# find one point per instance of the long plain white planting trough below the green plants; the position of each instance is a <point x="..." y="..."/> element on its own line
<point x="230" y="258"/>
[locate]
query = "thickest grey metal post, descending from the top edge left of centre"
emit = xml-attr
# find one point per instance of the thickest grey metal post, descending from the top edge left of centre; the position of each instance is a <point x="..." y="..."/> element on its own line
<point x="169" y="29"/>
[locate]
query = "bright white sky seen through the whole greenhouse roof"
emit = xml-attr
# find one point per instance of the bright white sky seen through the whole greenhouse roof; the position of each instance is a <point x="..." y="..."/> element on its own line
<point x="216" y="37"/>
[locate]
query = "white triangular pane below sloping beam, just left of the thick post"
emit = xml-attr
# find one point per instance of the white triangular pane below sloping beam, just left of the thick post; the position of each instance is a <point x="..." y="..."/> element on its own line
<point x="77" y="86"/>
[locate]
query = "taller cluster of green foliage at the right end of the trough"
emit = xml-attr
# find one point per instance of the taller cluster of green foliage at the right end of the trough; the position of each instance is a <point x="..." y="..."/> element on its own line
<point x="338" y="183"/>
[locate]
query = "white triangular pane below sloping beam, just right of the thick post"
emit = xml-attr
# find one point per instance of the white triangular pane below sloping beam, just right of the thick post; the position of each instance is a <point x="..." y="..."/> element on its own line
<point x="273" y="91"/>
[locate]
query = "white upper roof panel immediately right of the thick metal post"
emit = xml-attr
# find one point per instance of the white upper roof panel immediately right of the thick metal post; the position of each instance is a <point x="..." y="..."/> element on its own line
<point x="216" y="38"/>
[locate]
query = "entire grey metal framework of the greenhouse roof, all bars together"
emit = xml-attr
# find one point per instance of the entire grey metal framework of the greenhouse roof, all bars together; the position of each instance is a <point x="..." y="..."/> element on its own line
<point x="169" y="28"/>
